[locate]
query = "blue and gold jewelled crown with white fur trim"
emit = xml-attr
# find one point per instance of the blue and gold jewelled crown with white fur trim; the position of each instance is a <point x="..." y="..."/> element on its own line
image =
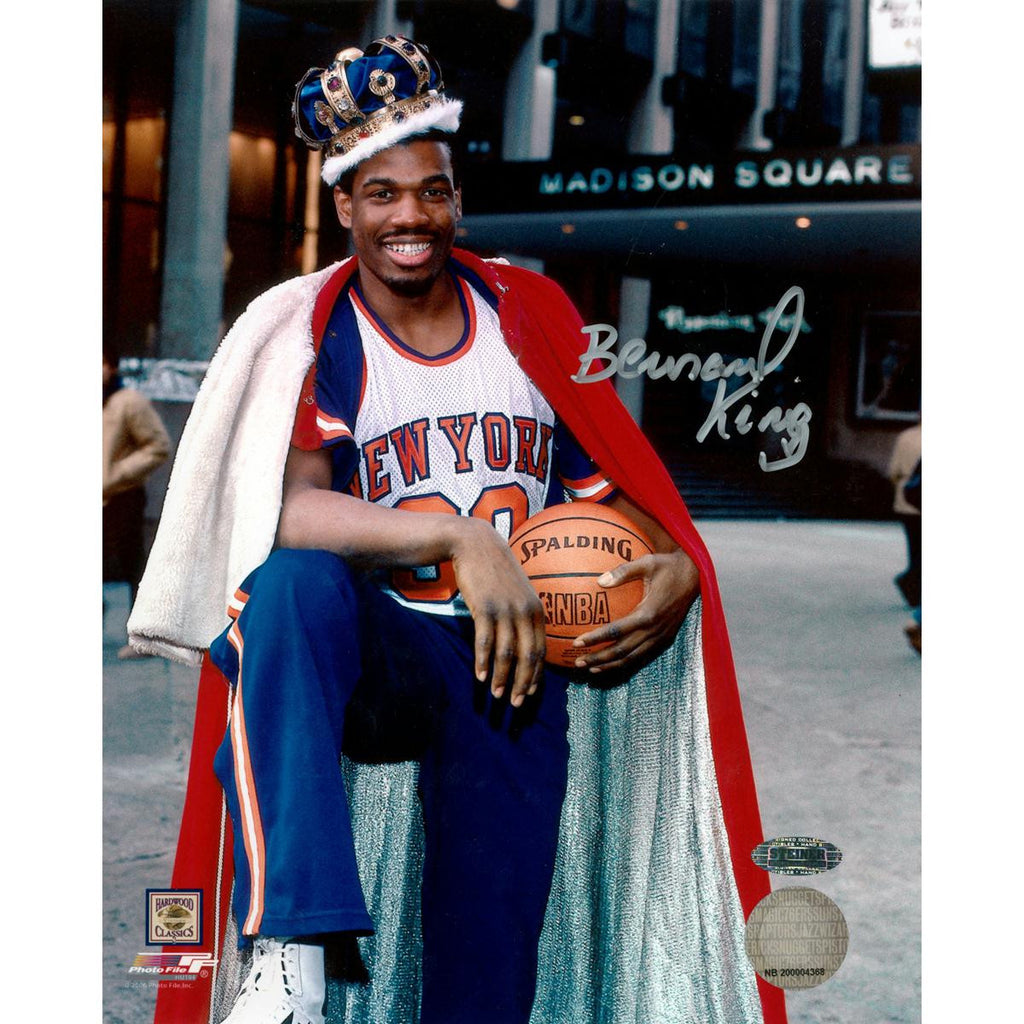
<point x="370" y="101"/>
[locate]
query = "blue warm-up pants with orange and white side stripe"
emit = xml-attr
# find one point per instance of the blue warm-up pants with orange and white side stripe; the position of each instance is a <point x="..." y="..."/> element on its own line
<point x="322" y="662"/>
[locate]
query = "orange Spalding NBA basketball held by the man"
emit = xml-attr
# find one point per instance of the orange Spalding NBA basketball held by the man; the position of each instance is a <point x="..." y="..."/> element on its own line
<point x="563" y="551"/>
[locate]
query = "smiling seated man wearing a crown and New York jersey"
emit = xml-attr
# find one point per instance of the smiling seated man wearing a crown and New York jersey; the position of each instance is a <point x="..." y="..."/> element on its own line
<point x="393" y="620"/>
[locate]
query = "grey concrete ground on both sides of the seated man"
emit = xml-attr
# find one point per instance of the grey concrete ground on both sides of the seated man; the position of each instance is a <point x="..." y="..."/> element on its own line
<point x="832" y="696"/>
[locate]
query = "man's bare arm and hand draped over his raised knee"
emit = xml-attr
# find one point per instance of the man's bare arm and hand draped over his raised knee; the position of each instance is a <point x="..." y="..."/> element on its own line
<point x="508" y="618"/>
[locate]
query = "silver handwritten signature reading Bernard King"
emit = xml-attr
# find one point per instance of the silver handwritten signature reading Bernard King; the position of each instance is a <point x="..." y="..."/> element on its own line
<point x="632" y="361"/>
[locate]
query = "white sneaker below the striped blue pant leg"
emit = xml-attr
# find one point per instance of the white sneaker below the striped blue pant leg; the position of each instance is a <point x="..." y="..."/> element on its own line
<point x="286" y="986"/>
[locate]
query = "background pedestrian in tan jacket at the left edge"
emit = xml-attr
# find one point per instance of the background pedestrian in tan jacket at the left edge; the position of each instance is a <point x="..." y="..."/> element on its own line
<point x="136" y="443"/>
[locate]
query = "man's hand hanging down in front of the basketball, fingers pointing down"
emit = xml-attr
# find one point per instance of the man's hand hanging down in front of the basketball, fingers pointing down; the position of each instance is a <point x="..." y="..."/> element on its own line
<point x="508" y="617"/>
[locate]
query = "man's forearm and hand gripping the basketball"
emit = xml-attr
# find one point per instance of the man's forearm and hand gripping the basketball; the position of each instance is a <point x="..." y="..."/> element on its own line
<point x="671" y="585"/>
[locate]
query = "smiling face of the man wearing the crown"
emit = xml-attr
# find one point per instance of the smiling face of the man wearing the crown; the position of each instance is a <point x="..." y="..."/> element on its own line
<point x="403" y="214"/>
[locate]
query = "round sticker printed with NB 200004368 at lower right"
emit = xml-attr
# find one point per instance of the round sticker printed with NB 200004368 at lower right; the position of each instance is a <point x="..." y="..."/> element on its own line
<point x="797" y="938"/>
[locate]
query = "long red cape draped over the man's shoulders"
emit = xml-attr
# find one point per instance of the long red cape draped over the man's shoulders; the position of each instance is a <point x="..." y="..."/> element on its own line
<point x="542" y="329"/>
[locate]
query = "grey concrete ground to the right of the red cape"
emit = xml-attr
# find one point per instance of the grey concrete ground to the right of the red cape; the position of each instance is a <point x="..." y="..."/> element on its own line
<point x="832" y="700"/>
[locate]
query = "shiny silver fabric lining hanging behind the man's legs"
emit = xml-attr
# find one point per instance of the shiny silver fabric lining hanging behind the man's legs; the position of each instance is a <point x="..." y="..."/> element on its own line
<point x="644" y="924"/>
